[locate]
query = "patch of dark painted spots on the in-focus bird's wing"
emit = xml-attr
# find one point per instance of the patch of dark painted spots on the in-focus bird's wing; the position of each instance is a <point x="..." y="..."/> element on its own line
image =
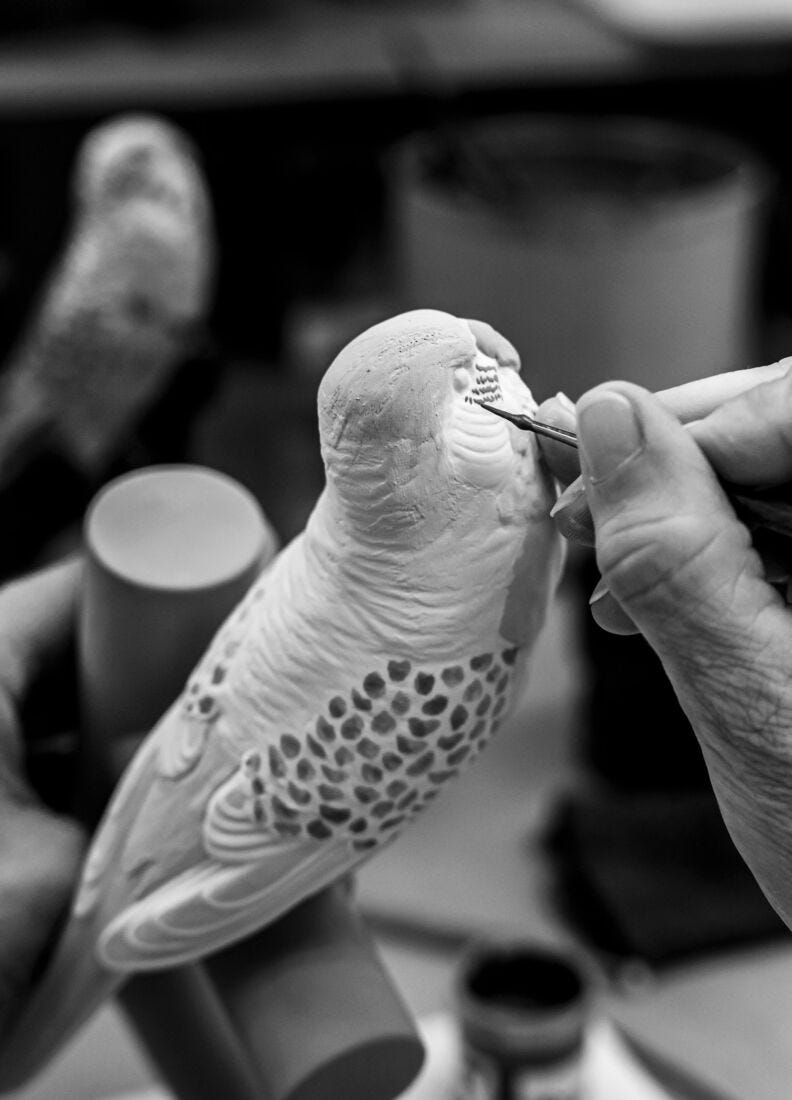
<point x="375" y="757"/>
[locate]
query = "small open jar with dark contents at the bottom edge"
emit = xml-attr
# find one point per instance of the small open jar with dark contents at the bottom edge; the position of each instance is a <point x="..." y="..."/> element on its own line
<point x="522" y="1011"/>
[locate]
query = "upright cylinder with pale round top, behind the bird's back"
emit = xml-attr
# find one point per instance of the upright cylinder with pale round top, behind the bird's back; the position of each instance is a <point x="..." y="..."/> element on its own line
<point x="171" y="551"/>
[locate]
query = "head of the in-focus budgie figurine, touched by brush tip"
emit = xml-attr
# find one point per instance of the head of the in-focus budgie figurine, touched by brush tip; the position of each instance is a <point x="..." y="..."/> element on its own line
<point x="404" y="441"/>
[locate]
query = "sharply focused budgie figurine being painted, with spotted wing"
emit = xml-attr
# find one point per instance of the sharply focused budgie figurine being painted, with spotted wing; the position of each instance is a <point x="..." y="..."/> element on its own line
<point x="368" y="666"/>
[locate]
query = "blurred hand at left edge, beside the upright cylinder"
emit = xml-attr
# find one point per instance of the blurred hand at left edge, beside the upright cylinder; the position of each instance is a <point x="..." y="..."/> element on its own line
<point x="40" y="851"/>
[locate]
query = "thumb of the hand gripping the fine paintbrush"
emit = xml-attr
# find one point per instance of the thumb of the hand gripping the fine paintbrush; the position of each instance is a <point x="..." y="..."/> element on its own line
<point x="669" y="546"/>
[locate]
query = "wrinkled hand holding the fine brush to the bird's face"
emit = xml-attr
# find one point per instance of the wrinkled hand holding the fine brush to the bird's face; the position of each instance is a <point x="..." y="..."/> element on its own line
<point x="681" y="569"/>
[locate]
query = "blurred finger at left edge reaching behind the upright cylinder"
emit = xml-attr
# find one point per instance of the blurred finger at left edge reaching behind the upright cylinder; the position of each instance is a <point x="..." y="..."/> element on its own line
<point x="37" y="621"/>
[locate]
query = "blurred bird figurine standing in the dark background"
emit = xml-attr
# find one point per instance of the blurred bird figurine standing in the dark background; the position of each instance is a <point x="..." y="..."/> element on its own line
<point x="125" y="305"/>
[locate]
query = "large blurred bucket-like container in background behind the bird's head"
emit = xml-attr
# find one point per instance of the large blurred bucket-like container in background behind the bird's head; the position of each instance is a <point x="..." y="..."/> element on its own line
<point x="601" y="248"/>
